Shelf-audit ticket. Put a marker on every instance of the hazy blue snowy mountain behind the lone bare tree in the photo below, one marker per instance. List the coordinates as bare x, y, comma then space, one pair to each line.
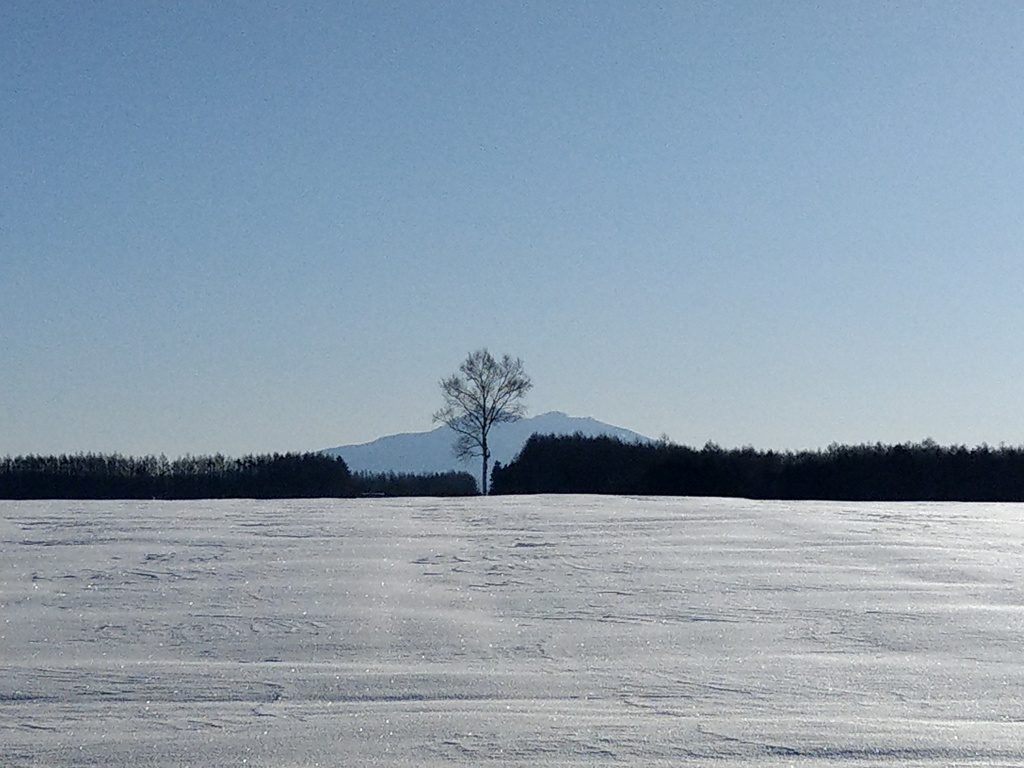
432, 452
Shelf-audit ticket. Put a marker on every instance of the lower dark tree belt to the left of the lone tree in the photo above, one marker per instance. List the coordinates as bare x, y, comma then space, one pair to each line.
269, 477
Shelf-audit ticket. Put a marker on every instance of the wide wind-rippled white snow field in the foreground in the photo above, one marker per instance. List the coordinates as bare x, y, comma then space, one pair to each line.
540, 631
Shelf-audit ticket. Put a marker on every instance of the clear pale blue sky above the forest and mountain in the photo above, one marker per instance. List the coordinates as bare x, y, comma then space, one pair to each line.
253, 227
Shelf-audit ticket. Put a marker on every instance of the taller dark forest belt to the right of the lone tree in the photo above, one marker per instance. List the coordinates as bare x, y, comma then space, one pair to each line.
925, 472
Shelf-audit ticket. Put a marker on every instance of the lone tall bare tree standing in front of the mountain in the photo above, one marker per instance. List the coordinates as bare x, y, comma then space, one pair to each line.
485, 393
